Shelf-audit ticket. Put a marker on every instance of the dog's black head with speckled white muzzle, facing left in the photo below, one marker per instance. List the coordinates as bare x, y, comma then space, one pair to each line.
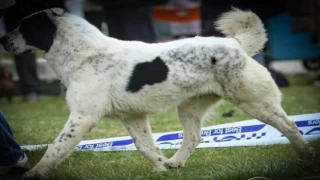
35, 32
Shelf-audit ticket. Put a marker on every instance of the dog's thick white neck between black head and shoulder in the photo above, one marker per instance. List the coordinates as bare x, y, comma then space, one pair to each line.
75, 41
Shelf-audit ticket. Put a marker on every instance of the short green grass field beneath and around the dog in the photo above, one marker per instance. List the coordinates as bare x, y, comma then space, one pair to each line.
40, 123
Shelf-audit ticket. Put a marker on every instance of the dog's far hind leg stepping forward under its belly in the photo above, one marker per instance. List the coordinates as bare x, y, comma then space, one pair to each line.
191, 114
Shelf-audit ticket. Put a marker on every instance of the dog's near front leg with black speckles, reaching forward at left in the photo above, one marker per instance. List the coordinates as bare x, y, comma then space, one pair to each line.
76, 127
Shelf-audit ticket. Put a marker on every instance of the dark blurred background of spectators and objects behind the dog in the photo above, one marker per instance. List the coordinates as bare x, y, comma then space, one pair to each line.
293, 27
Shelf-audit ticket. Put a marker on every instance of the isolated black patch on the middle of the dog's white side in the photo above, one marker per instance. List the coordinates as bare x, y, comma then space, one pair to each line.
147, 73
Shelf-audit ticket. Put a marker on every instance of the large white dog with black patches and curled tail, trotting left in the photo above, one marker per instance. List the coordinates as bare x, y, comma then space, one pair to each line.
129, 80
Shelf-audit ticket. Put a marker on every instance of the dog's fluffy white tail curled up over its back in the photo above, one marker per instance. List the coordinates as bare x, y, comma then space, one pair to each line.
246, 27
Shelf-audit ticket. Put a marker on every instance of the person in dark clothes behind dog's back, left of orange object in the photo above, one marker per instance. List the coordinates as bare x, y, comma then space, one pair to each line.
129, 19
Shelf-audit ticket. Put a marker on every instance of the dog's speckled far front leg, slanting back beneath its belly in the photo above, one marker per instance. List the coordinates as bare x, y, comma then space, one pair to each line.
140, 131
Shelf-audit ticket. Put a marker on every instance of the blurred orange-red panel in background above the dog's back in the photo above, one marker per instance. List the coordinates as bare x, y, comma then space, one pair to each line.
169, 15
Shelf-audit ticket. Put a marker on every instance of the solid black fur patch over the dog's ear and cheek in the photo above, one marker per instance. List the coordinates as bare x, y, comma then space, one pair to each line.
38, 31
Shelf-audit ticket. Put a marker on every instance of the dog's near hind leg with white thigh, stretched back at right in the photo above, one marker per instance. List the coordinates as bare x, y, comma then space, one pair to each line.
251, 88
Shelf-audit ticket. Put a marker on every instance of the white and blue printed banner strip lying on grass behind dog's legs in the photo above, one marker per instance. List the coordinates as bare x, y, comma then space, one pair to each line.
243, 133
